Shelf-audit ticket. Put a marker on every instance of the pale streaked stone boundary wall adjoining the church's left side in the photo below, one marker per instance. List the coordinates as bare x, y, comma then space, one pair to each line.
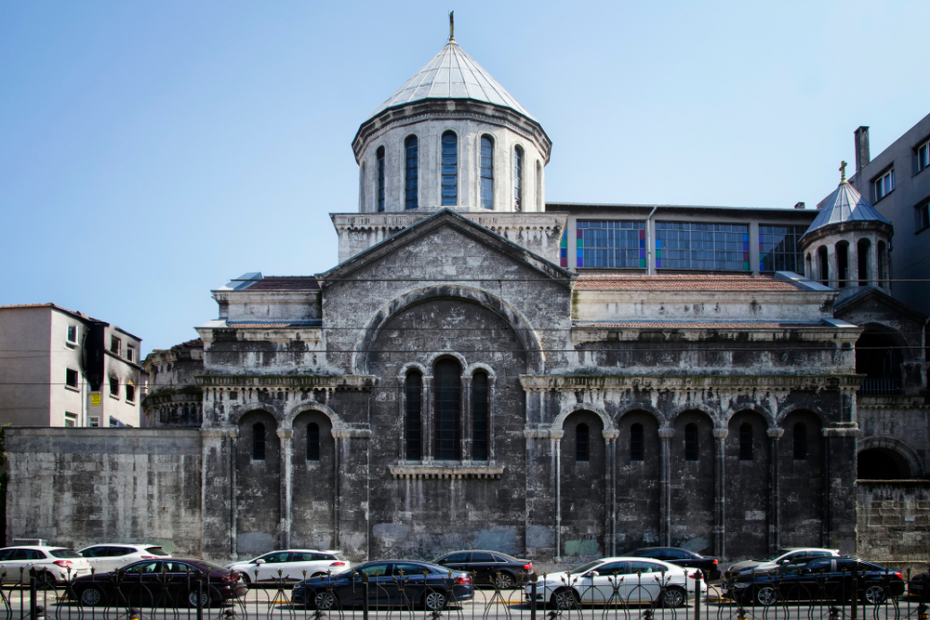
82, 486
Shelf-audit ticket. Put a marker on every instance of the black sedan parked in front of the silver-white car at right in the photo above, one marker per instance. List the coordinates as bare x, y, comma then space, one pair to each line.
827, 578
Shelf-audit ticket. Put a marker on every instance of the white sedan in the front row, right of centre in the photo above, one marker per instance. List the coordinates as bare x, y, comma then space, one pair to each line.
623, 580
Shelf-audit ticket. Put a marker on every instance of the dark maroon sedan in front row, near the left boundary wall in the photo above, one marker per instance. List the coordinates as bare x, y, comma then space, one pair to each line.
161, 583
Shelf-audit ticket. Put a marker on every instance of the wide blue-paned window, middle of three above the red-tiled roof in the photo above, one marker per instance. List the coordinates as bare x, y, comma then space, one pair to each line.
705, 247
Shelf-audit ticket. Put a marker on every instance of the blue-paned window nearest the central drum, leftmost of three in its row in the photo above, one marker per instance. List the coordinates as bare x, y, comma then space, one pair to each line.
611, 243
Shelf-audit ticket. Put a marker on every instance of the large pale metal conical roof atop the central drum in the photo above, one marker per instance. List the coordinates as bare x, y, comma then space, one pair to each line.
452, 74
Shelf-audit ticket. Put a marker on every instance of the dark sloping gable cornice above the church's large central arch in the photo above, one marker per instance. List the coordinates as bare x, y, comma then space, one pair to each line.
445, 217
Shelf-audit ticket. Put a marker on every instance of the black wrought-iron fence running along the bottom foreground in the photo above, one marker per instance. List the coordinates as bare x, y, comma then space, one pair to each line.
646, 597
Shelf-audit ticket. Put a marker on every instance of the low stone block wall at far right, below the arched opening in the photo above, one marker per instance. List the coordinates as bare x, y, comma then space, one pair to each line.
894, 521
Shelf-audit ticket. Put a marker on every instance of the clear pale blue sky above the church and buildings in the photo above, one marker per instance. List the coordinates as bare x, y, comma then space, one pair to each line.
151, 151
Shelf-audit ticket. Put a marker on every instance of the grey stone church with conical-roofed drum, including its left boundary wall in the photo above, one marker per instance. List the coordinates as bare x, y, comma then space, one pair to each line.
486, 369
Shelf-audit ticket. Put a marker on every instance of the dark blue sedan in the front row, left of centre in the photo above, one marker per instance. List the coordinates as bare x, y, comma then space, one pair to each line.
404, 583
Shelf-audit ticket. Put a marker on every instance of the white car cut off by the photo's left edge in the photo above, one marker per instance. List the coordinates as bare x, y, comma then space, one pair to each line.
54, 564
